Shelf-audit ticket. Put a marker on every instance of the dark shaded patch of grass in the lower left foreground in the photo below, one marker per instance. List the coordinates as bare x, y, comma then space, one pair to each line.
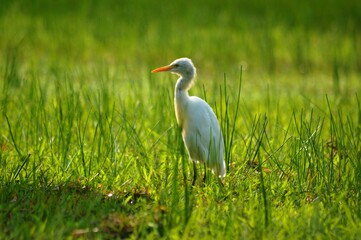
78, 211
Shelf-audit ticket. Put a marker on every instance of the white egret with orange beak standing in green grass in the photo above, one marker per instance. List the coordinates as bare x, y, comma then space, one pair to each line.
200, 128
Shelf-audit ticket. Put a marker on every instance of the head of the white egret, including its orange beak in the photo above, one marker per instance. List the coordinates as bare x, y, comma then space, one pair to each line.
181, 66
